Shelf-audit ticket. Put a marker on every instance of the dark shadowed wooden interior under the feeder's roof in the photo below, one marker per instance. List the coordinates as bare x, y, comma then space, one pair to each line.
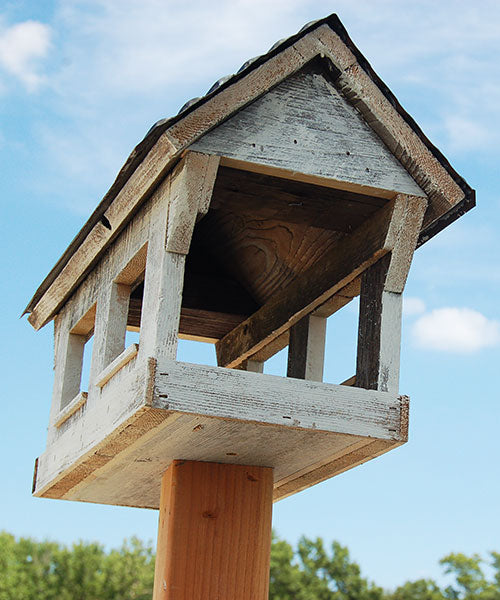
261, 231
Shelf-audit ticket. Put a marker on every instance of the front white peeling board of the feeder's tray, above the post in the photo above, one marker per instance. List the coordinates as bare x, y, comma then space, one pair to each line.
291, 403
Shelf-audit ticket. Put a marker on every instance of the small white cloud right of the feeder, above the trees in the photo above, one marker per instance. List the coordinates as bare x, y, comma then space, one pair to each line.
459, 330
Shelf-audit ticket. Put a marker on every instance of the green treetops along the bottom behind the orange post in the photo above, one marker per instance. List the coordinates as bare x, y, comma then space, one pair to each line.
32, 570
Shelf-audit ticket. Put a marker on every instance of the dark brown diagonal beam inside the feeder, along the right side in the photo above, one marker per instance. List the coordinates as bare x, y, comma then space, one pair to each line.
344, 261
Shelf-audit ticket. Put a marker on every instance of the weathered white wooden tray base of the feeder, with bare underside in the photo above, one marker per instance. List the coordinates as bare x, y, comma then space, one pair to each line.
116, 450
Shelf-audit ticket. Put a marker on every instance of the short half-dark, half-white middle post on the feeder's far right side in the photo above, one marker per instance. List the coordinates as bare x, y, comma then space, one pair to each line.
306, 350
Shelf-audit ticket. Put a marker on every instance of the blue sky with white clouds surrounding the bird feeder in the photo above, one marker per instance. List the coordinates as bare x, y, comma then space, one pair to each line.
80, 85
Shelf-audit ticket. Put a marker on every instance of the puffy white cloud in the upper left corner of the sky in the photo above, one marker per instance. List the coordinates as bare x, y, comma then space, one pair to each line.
21, 46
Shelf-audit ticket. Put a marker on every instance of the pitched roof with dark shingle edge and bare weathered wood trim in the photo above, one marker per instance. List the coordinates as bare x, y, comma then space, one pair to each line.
325, 38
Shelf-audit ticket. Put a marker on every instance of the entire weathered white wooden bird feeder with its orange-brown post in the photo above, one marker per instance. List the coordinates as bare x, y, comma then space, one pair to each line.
246, 220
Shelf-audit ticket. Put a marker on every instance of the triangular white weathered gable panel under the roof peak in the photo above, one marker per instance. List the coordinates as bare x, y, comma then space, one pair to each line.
305, 126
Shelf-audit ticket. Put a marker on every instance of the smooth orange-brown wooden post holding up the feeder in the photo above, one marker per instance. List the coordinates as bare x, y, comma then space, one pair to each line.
214, 532
